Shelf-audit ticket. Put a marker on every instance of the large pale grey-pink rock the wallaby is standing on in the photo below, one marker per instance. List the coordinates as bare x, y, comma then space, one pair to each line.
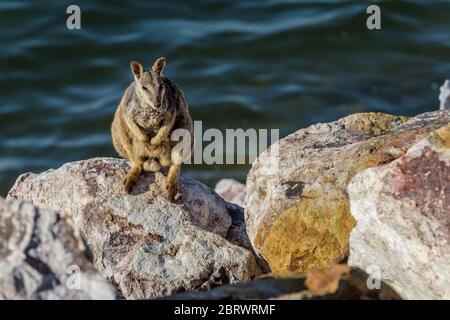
147, 245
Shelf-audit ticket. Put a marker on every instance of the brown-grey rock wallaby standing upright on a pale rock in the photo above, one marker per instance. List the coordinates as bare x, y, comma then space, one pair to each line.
151, 108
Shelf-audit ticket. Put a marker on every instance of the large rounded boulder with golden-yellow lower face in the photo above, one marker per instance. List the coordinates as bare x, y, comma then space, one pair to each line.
297, 209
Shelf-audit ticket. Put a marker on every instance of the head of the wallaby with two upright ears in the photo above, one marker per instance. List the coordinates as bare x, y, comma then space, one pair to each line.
150, 86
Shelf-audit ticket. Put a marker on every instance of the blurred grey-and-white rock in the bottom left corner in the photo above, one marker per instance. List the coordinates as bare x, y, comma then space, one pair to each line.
40, 258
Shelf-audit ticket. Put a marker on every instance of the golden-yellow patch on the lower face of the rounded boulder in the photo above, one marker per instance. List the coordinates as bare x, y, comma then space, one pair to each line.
311, 235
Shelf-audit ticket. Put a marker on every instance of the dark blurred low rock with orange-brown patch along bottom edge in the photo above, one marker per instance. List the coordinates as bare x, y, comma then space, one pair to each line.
336, 282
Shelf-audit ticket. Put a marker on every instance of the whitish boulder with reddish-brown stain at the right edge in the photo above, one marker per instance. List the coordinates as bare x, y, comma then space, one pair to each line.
403, 219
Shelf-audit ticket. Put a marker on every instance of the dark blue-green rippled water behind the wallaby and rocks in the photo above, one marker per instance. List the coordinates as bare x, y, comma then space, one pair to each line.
241, 64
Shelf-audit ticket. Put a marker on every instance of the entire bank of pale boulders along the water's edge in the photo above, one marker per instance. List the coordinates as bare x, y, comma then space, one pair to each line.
370, 190
